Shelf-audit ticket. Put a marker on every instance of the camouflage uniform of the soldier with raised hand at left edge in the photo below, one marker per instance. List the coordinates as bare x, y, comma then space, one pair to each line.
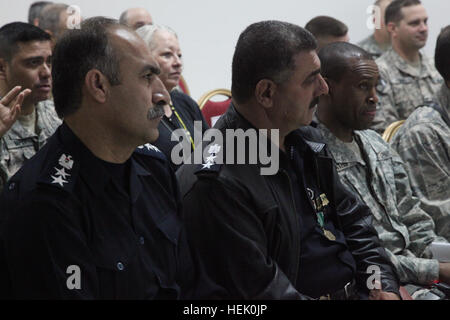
18, 144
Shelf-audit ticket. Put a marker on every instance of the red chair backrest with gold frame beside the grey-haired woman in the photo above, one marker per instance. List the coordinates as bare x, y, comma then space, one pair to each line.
212, 110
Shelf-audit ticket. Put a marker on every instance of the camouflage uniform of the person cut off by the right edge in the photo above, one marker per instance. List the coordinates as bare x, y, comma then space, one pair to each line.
423, 142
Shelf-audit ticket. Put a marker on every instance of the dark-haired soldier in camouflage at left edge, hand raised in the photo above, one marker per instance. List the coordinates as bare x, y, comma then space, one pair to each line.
25, 61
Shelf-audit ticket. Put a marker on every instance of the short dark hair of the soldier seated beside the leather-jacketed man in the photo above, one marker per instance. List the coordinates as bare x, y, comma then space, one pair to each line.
335, 57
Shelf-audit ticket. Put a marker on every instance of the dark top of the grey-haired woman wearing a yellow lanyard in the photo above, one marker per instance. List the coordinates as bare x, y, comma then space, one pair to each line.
189, 112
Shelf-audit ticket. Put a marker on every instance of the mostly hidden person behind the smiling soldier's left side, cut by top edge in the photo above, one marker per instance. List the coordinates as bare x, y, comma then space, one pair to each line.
378, 42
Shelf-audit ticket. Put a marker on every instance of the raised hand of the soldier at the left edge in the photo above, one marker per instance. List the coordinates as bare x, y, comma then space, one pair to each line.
10, 108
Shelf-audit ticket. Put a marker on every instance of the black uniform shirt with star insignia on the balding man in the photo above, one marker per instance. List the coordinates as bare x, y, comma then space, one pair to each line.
71, 228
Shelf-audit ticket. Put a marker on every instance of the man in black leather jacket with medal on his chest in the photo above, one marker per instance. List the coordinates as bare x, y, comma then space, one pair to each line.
295, 234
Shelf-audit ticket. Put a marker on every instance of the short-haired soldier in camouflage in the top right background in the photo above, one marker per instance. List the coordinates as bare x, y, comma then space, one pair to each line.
408, 79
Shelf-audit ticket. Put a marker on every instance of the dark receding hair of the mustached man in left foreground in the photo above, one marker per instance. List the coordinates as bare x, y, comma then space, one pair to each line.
77, 52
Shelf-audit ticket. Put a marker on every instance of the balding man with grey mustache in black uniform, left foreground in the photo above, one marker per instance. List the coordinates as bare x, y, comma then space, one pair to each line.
93, 215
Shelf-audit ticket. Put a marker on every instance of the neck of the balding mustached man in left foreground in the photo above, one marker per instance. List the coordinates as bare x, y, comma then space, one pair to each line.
100, 140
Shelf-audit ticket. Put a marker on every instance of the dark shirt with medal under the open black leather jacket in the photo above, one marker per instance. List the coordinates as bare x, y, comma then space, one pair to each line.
326, 265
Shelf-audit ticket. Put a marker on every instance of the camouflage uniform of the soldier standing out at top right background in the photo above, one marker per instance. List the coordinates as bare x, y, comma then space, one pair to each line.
402, 88
